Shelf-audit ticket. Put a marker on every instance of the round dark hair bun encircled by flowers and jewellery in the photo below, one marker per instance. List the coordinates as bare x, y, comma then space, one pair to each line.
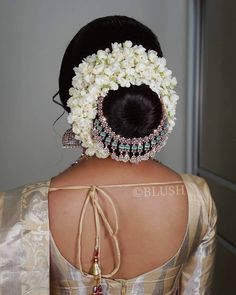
133, 112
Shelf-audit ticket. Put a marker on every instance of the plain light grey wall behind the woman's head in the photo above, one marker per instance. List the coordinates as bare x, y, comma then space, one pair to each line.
34, 36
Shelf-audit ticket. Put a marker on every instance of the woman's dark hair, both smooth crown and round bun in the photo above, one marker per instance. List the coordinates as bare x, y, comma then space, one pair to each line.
130, 112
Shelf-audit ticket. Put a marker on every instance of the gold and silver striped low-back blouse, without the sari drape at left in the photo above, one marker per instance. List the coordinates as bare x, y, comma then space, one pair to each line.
188, 272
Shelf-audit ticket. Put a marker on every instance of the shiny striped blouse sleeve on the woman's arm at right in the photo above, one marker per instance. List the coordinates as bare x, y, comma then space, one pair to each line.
197, 272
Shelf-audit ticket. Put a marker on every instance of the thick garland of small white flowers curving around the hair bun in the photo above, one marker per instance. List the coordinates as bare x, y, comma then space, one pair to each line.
124, 65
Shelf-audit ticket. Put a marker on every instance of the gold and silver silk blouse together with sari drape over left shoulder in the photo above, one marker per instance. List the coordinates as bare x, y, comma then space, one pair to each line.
30, 262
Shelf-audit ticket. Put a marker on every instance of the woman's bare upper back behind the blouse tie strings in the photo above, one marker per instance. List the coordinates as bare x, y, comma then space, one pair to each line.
152, 218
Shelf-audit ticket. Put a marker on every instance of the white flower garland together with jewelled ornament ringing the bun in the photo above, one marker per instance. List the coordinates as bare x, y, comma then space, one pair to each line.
124, 65
